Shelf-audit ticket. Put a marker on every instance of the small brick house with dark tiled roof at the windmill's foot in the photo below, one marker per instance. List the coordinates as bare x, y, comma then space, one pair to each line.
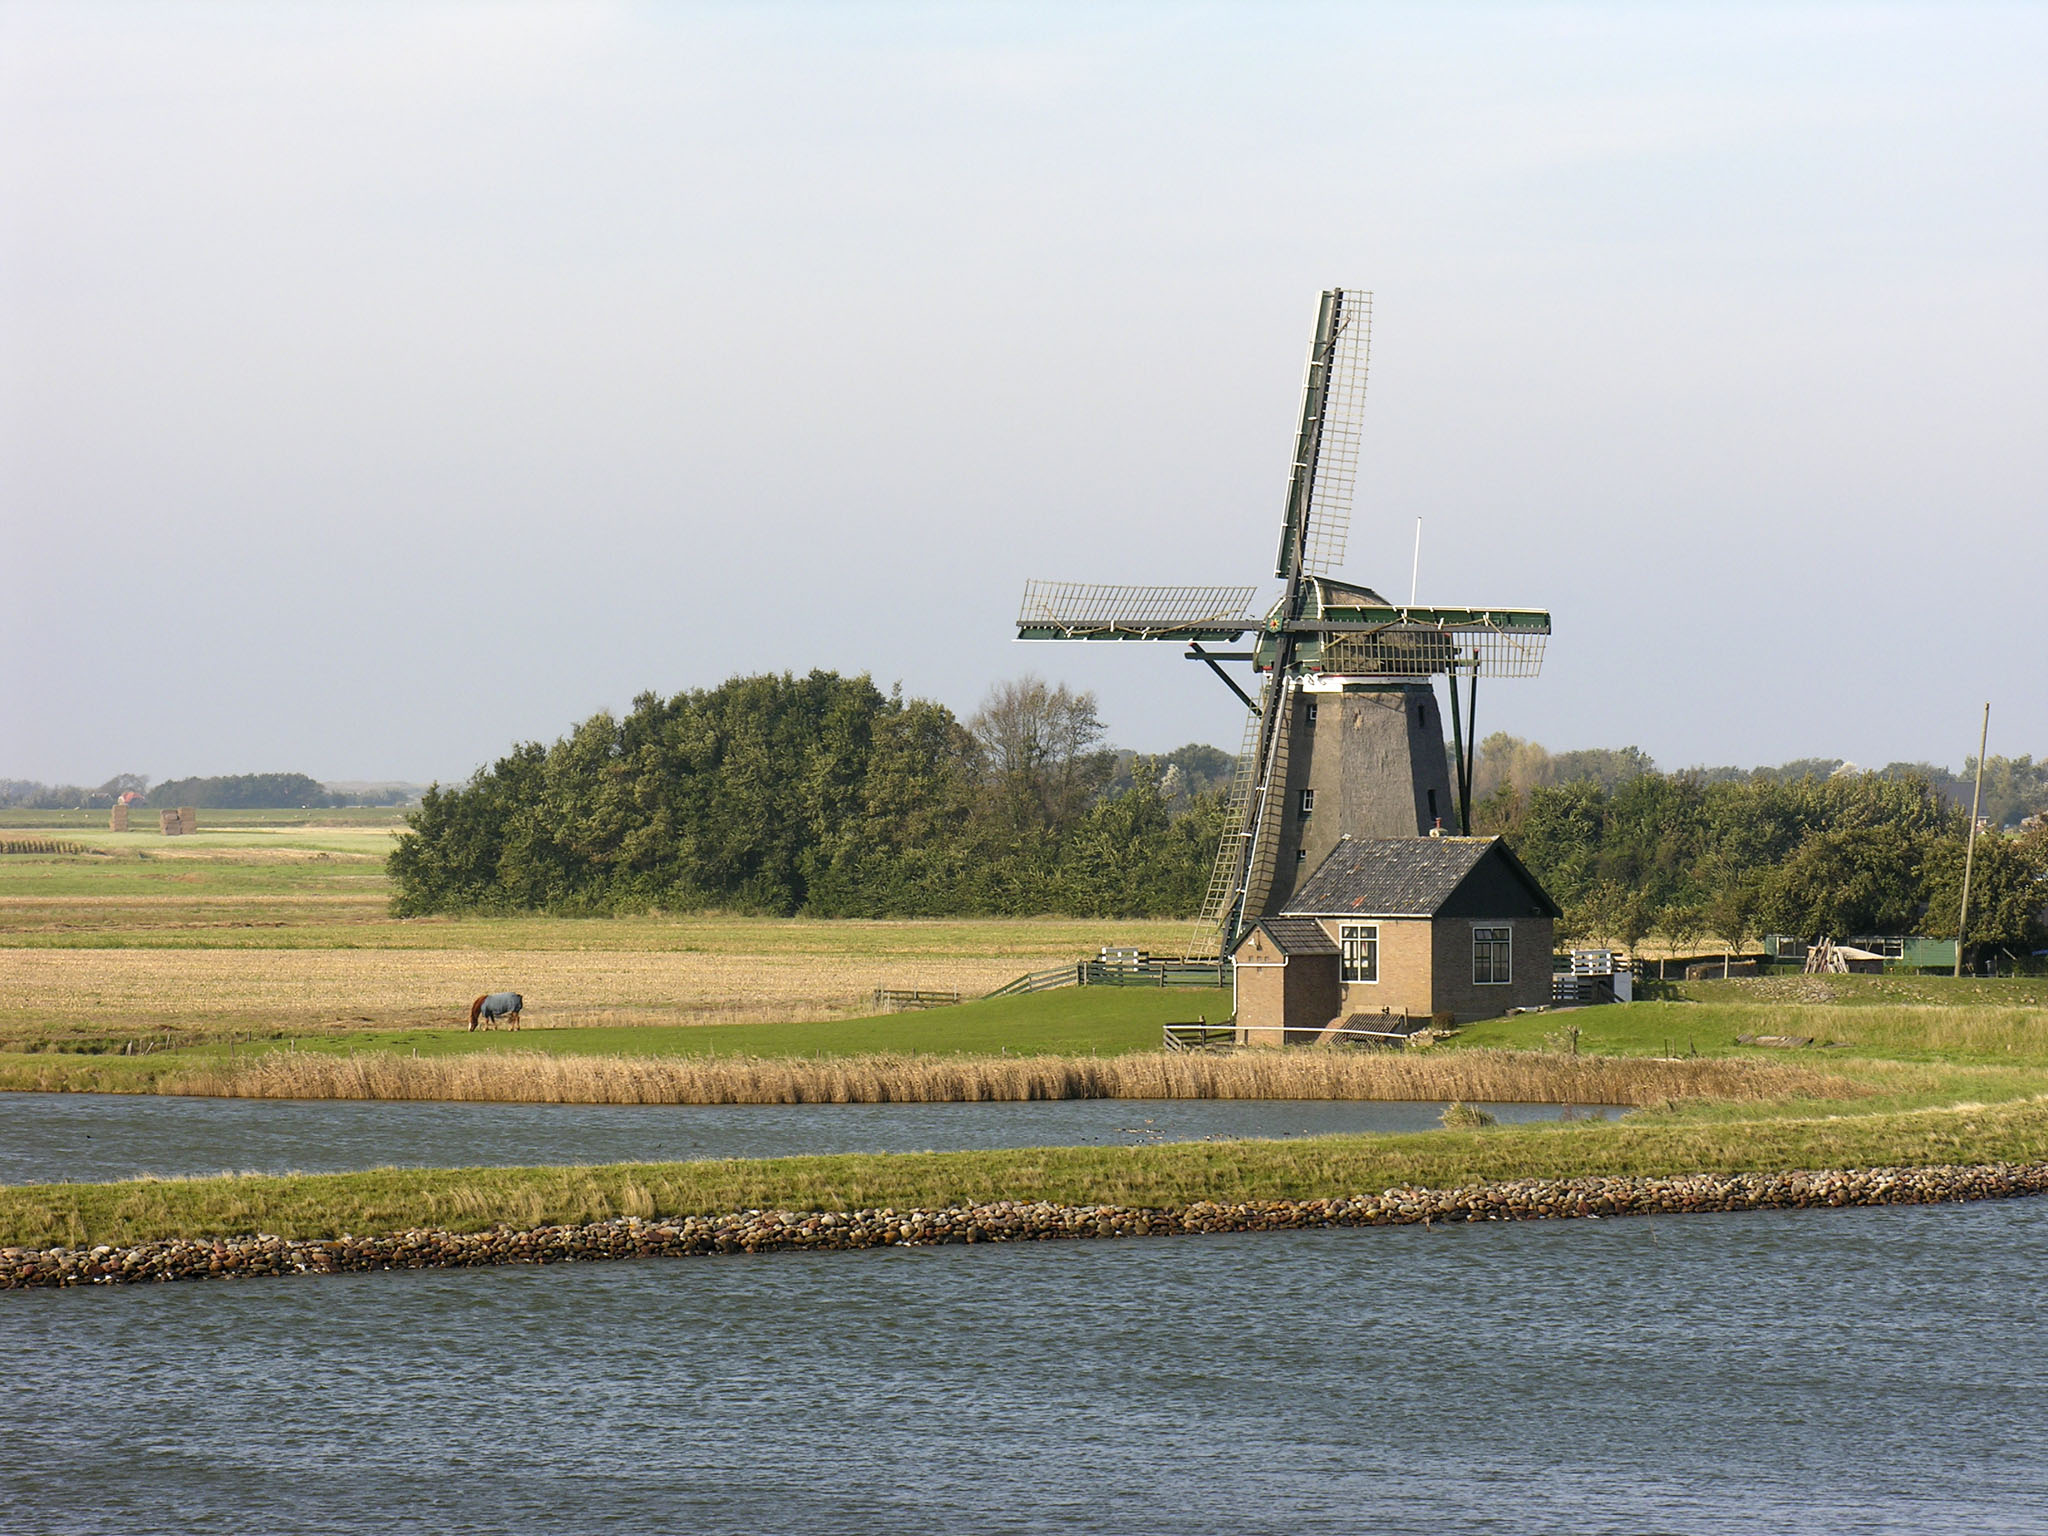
1398, 929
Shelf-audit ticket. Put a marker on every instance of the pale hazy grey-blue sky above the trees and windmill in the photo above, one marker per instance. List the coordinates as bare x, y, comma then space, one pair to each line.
382, 386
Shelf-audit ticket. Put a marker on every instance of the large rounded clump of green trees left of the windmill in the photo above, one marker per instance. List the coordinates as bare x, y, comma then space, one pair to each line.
822, 796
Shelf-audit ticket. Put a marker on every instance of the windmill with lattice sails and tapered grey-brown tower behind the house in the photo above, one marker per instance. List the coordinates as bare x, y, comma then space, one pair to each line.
1347, 738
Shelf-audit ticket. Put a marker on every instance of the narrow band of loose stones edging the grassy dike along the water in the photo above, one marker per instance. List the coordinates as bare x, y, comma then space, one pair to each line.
1009, 1222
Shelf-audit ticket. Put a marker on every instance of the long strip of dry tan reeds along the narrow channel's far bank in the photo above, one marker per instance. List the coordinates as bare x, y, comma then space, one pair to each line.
1471, 1076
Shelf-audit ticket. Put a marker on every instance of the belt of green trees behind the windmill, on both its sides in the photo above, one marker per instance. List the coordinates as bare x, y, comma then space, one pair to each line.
826, 796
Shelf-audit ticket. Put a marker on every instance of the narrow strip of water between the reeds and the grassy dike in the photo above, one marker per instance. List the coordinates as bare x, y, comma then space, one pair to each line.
48, 1138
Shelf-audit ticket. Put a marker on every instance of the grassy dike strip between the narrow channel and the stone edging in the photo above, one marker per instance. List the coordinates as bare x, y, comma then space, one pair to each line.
466, 1201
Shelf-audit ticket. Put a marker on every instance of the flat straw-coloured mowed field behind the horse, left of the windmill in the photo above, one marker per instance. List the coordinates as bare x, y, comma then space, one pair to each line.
278, 925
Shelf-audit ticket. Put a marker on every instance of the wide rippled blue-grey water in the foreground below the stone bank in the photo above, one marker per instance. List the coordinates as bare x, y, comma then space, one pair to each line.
1760, 1373
